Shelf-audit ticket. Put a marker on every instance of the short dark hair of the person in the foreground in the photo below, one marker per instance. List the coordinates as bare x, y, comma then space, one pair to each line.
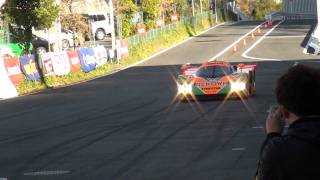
298, 90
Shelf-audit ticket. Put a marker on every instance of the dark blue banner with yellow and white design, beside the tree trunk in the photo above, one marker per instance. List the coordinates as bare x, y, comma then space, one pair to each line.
29, 67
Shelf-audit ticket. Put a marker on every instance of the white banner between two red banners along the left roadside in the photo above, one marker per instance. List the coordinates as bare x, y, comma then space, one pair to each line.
60, 63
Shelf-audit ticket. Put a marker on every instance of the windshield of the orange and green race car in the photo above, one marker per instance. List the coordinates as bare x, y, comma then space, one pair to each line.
213, 71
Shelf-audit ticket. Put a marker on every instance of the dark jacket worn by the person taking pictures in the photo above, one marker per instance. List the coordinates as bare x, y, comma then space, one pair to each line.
293, 156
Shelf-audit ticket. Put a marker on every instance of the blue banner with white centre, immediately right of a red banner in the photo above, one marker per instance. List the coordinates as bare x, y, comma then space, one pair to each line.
87, 59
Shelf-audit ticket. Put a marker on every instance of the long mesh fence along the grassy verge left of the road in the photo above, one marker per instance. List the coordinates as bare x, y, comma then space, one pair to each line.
158, 32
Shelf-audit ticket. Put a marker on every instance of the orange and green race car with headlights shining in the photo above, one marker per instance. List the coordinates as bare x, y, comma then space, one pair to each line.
216, 78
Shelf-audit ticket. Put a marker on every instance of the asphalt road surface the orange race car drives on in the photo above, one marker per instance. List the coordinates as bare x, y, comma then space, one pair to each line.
130, 126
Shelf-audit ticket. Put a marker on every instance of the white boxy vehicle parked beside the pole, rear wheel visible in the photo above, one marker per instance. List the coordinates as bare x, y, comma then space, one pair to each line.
100, 24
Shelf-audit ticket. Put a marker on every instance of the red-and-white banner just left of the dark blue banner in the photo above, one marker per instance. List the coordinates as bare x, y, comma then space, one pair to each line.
13, 70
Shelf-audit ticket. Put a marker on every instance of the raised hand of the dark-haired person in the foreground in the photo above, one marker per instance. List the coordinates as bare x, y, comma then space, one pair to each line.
275, 121
